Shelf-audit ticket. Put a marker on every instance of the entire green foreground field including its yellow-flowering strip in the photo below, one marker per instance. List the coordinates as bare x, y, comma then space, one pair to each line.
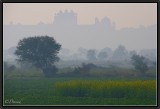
79, 91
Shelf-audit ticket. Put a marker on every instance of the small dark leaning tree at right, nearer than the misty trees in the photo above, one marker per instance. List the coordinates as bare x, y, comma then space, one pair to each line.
139, 63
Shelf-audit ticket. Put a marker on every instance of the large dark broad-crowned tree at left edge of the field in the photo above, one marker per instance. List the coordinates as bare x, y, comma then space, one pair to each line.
40, 51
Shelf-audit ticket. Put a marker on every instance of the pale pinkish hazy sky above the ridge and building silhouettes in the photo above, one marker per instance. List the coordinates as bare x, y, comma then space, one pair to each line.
123, 14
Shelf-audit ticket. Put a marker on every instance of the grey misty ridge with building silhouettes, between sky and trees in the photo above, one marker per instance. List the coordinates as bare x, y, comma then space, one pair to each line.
77, 39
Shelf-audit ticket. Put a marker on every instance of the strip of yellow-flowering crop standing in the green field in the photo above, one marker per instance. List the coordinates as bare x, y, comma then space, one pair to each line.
142, 89
